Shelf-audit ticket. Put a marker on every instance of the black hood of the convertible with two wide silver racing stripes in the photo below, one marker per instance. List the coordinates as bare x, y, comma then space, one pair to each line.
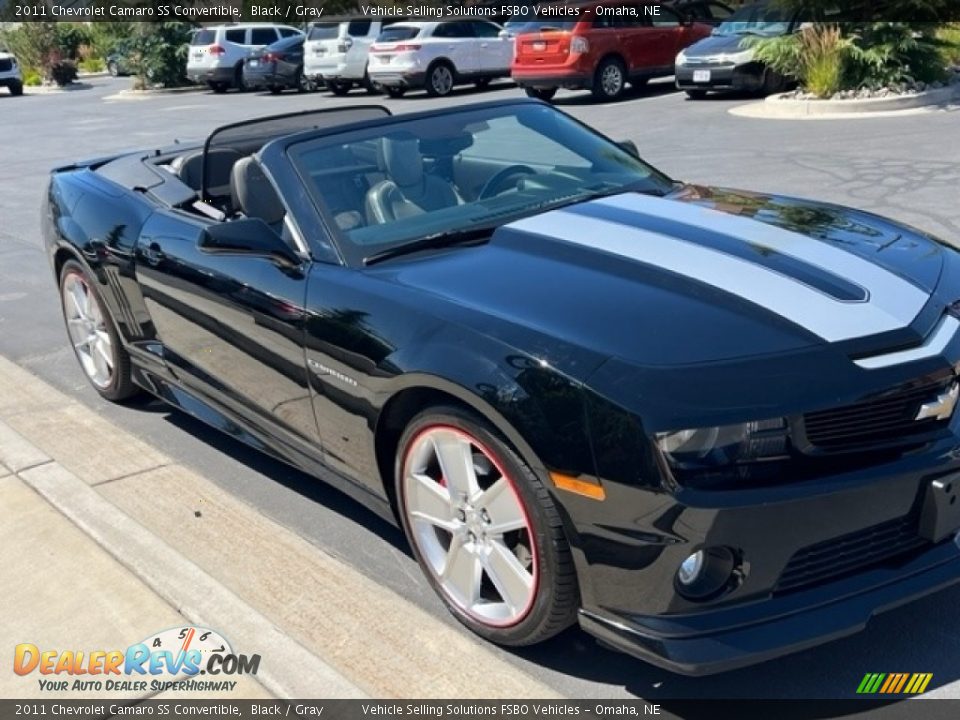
702, 275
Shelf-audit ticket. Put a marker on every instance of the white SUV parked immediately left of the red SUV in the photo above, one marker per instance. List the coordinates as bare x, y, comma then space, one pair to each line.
438, 55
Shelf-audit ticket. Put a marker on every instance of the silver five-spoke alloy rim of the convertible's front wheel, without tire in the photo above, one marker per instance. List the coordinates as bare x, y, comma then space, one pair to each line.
470, 526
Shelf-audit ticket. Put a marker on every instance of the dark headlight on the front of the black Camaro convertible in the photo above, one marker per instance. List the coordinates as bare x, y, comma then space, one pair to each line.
723, 445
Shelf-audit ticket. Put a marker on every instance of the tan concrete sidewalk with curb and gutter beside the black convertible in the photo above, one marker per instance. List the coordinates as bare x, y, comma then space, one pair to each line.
120, 542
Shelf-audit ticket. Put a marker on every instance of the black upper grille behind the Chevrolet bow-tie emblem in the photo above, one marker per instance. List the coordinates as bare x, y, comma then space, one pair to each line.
885, 420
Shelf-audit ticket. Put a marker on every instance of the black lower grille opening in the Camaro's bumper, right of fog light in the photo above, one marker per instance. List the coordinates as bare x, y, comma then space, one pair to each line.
850, 553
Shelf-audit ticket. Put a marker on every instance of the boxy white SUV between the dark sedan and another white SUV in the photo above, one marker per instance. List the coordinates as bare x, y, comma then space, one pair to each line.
336, 52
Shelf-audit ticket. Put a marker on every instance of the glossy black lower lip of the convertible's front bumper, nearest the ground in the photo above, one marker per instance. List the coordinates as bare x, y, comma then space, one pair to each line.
745, 635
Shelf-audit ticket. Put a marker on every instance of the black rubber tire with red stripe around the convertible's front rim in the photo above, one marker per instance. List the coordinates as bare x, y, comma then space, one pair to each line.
555, 596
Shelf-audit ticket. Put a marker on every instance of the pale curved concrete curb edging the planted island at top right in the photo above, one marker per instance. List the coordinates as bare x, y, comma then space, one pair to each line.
776, 107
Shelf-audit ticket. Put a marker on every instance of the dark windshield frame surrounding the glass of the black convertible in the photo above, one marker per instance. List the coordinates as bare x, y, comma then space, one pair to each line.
353, 253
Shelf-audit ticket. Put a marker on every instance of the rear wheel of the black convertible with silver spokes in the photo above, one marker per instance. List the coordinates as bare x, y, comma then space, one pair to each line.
93, 335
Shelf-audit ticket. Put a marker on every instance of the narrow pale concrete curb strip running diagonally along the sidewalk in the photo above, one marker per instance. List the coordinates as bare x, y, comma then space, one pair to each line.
292, 671
